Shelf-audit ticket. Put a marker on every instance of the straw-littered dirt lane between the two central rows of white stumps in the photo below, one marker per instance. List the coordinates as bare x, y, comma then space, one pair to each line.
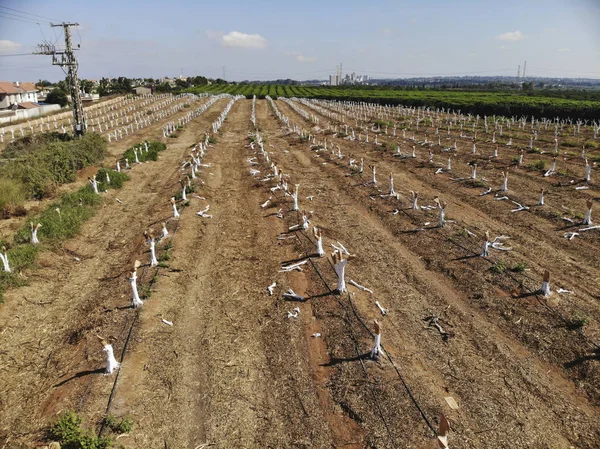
238, 370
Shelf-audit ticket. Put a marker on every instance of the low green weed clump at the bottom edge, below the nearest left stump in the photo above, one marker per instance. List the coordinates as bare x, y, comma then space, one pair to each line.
71, 435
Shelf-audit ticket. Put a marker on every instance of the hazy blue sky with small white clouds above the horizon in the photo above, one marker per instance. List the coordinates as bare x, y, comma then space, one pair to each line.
265, 40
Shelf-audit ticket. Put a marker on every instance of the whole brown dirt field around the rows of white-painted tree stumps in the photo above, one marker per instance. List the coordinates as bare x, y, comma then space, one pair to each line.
235, 371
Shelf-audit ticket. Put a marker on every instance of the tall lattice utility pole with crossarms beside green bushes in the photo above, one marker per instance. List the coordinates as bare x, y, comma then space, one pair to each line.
66, 58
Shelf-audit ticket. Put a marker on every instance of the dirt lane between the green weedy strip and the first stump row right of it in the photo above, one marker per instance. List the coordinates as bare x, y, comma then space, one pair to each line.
50, 355
